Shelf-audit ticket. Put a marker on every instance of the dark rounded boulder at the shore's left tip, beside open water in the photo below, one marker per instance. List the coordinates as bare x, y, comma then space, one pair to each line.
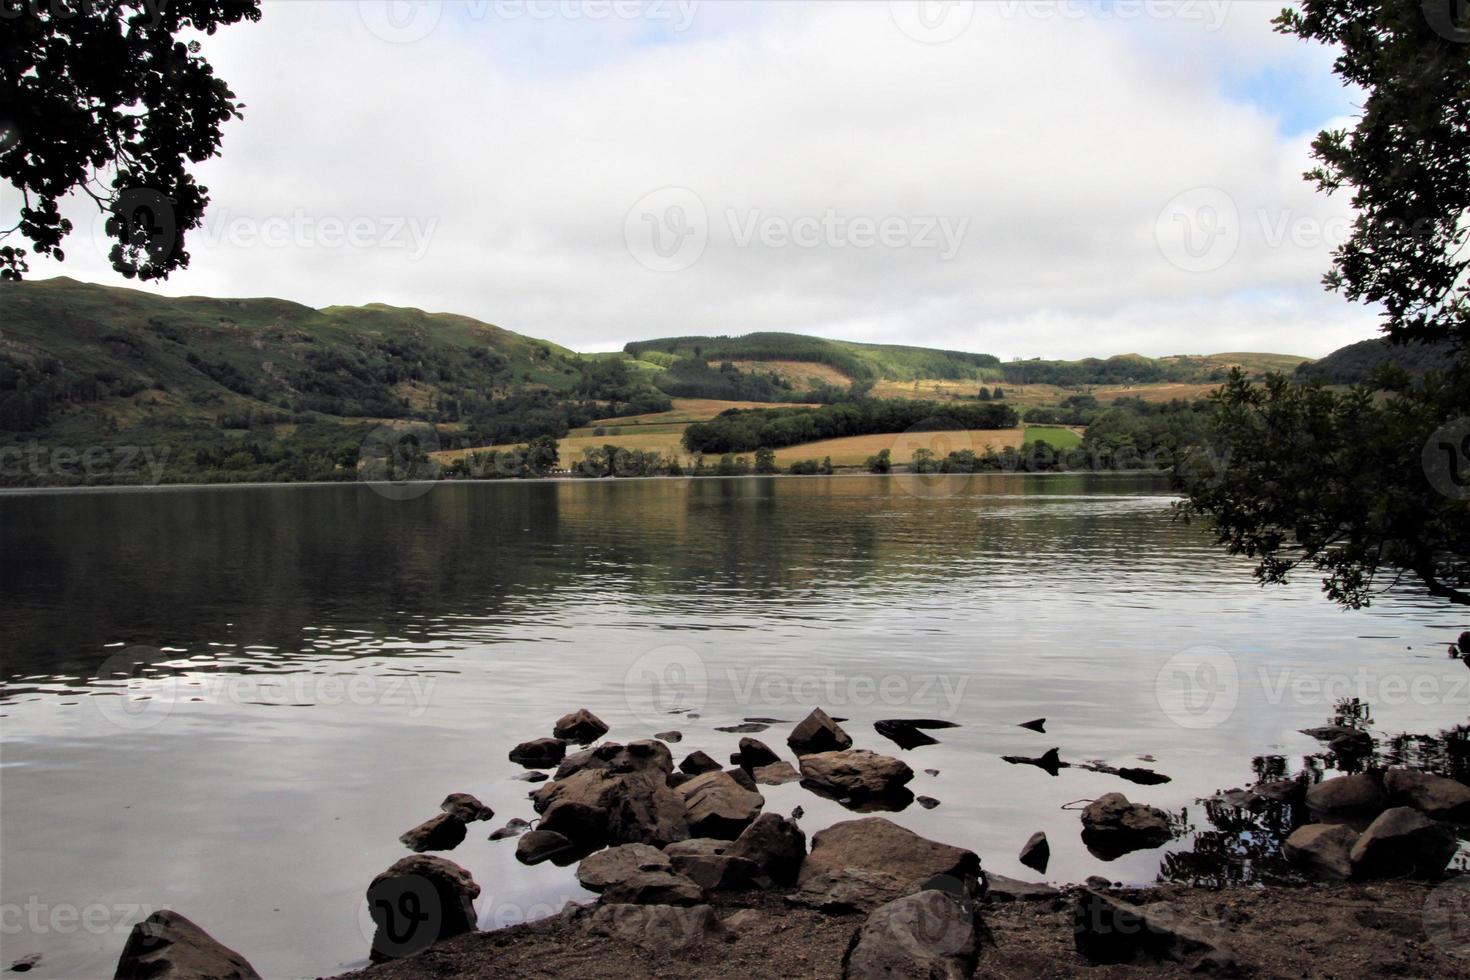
440, 897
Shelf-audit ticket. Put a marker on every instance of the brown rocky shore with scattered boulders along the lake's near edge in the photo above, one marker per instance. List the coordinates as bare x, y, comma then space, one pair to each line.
696, 881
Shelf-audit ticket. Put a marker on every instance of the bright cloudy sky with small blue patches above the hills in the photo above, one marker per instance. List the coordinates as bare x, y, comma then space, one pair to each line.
1019, 179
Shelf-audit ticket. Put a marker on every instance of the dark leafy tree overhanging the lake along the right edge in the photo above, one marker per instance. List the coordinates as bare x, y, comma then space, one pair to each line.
1378, 478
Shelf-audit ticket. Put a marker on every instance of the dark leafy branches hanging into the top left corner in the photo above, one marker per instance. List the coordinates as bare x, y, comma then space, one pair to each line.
101, 96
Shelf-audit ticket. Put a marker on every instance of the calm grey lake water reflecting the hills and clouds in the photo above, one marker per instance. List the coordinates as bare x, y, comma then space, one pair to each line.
314, 669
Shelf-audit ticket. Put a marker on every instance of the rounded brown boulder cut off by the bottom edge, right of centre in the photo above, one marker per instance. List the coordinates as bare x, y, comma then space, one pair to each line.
928, 935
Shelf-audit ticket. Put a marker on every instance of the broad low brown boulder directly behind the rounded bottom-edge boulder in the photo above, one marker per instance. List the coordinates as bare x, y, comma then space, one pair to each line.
875, 844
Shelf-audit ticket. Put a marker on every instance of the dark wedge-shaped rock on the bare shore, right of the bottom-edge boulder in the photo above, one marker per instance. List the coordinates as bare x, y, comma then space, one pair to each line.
1109, 932
